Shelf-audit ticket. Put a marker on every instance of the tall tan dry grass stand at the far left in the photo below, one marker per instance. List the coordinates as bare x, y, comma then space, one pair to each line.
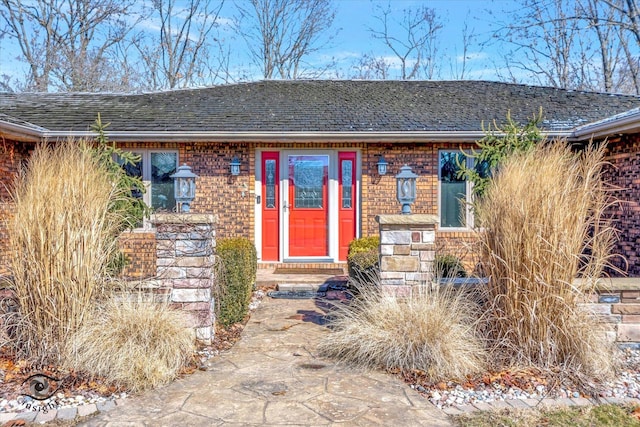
62, 237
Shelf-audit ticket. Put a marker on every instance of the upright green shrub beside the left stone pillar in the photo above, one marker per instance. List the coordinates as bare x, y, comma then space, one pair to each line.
236, 273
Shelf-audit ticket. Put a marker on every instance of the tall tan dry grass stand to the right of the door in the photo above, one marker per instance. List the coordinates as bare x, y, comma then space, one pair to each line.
543, 225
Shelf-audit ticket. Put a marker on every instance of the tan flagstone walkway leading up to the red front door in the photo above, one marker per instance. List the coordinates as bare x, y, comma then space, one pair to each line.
273, 376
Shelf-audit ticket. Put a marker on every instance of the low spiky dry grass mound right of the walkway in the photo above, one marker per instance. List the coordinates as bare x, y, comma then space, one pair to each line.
432, 330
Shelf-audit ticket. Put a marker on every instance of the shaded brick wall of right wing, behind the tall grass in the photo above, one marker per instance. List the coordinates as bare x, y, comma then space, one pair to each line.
623, 155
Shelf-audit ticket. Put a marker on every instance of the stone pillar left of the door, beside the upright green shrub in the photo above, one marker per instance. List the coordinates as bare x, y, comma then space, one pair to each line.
185, 265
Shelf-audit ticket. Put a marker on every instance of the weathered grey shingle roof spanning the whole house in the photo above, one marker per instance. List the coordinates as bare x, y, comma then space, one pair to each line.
317, 106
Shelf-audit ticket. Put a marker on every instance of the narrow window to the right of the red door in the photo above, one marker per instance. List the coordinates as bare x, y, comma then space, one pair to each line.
455, 191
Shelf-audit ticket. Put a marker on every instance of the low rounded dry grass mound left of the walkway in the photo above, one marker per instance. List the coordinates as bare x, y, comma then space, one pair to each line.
132, 343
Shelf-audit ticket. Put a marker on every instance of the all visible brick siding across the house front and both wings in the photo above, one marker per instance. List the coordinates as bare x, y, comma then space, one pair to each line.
220, 193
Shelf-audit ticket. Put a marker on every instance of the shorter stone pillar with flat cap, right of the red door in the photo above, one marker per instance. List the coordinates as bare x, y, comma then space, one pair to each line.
407, 251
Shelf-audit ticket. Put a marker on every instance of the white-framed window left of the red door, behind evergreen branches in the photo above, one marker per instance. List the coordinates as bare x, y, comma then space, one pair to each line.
155, 168
